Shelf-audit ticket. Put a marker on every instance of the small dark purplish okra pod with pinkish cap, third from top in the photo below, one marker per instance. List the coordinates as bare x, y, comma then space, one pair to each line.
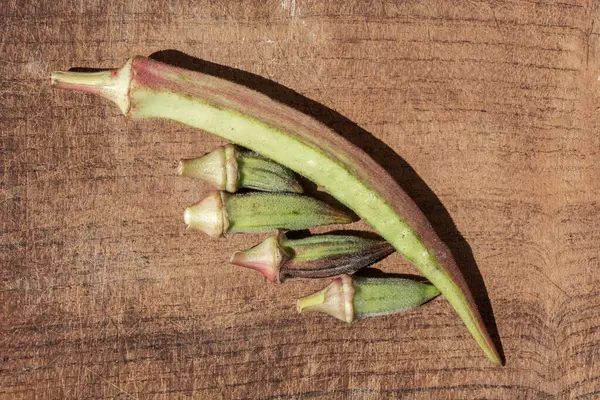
318, 256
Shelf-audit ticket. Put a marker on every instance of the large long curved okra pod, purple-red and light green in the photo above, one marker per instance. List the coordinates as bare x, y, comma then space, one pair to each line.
146, 88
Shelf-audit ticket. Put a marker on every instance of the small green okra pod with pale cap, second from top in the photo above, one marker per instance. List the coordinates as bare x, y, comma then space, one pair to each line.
220, 213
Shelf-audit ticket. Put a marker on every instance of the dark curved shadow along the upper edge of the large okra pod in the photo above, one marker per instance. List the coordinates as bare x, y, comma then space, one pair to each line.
399, 169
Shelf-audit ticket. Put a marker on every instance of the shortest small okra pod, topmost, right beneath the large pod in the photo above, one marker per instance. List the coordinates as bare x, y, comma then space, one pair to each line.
231, 167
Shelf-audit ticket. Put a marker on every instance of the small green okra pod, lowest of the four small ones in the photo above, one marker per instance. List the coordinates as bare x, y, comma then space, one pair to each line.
350, 298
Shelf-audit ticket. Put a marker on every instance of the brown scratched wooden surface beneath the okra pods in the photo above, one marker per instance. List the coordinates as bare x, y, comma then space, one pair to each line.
486, 112
